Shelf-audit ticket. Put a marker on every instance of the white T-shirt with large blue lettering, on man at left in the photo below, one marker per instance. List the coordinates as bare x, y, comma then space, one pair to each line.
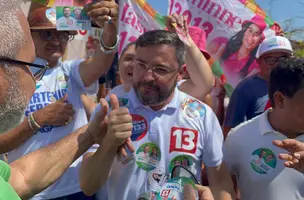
64, 78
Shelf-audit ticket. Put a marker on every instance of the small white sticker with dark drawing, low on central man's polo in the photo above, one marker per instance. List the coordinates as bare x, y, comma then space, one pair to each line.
157, 178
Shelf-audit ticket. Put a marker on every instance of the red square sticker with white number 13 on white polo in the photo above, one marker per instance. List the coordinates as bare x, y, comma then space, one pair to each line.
183, 140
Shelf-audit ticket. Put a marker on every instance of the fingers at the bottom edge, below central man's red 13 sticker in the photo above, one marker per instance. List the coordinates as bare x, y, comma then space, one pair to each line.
204, 193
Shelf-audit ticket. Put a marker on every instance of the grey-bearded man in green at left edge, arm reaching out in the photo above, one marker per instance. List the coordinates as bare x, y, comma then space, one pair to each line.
34, 172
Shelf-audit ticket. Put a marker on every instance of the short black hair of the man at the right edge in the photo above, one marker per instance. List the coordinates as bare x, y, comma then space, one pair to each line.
287, 77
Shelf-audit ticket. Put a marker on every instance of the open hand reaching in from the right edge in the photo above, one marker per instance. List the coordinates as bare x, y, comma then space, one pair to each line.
295, 156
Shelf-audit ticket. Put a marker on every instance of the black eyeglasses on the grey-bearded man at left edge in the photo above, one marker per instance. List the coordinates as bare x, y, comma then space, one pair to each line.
37, 75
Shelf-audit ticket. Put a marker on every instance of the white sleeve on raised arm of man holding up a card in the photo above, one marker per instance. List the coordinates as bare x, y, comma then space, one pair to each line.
71, 68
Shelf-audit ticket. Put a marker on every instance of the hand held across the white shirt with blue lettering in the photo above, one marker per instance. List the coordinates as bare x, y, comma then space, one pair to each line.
57, 114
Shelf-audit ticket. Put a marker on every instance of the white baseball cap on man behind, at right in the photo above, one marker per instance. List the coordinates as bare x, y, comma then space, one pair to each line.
274, 44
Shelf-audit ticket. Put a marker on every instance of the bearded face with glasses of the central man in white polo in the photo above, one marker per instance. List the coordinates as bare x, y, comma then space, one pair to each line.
155, 88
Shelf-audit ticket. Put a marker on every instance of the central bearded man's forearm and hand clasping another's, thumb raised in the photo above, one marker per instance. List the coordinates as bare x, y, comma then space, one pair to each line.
119, 129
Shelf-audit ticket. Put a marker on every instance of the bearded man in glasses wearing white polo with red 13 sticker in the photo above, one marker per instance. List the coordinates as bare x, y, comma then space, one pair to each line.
171, 123
